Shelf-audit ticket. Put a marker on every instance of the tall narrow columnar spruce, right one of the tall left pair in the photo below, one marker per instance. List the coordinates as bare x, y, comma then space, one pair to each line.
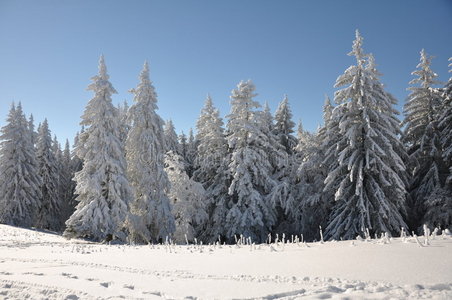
151, 218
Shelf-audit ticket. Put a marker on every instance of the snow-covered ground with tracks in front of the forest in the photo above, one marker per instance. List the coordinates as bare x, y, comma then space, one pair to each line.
40, 265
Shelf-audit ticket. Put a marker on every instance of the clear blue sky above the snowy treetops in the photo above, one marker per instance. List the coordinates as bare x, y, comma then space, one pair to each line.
49, 51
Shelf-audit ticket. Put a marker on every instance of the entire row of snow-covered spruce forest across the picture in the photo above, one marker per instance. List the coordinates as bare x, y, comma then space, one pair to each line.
129, 177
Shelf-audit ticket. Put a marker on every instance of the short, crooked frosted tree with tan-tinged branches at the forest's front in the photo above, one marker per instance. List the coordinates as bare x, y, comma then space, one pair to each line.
187, 199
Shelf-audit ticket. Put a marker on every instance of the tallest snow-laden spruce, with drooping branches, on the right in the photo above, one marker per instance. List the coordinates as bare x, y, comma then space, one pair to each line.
369, 185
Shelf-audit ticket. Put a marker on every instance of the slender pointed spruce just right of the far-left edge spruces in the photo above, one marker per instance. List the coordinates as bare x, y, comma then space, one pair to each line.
49, 214
